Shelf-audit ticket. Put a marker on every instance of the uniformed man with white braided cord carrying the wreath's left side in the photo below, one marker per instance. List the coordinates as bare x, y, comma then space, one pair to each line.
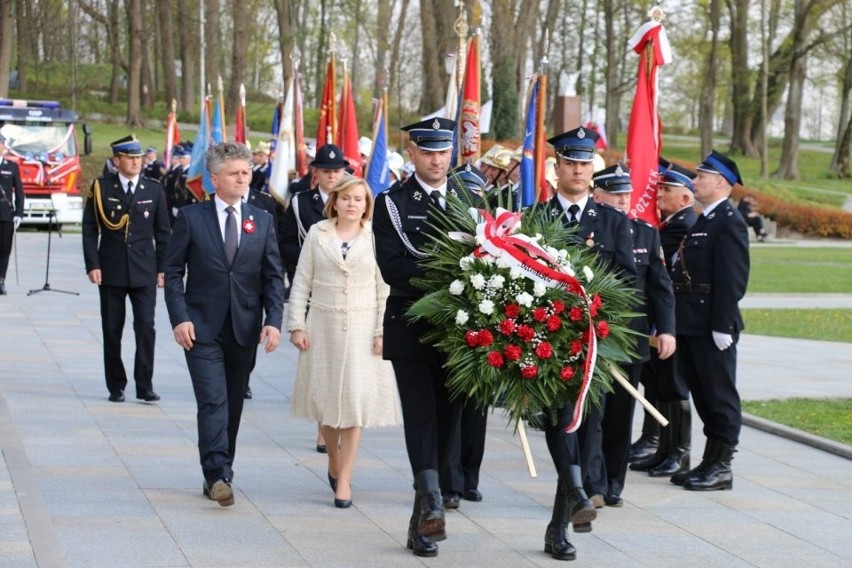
401, 223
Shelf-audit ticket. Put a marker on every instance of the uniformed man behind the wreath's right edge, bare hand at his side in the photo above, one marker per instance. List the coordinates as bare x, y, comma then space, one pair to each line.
613, 187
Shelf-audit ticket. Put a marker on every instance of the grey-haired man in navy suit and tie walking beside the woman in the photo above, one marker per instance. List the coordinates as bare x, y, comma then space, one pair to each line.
227, 250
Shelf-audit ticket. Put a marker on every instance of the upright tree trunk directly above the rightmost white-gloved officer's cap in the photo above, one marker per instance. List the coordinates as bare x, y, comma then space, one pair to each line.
740, 86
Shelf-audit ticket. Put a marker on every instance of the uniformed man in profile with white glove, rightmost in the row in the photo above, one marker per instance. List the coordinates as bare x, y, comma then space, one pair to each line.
710, 274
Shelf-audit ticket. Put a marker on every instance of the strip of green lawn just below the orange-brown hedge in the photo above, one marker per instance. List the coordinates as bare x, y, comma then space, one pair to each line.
780, 269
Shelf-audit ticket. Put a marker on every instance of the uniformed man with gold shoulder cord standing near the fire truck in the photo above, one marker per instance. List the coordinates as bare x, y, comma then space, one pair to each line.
125, 215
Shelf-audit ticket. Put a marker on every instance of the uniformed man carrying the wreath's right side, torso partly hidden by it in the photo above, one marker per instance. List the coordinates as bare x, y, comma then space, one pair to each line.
607, 232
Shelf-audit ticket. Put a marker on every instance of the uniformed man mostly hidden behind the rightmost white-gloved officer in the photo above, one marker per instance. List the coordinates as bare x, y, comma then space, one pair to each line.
674, 201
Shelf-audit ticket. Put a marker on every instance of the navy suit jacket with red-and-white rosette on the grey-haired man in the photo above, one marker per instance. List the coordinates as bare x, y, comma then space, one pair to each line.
249, 287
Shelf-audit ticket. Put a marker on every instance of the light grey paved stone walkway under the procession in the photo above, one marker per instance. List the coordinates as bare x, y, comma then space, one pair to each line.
87, 483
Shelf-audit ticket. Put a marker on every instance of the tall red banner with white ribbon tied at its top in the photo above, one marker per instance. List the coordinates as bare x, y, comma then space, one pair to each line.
644, 140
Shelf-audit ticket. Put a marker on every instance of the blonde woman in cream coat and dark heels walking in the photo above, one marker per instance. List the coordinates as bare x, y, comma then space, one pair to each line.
342, 381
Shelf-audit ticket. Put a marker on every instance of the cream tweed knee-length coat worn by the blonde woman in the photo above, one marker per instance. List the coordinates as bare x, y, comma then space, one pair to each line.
339, 381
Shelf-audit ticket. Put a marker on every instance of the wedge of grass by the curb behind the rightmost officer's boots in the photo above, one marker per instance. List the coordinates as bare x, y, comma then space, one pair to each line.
829, 418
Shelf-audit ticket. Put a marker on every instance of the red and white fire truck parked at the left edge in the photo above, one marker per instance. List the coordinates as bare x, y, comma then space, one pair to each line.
41, 137
